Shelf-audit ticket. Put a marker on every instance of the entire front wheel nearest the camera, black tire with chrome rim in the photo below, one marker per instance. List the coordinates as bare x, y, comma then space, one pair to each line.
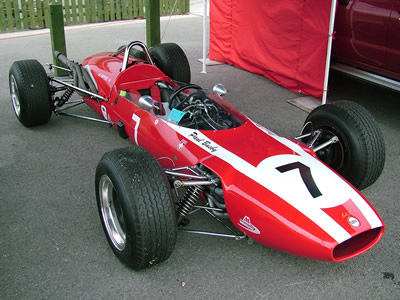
136, 207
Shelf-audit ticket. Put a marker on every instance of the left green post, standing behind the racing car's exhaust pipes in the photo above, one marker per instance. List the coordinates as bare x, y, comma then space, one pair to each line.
57, 35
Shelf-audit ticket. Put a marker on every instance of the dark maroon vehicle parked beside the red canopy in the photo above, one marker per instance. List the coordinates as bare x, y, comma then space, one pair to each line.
368, 36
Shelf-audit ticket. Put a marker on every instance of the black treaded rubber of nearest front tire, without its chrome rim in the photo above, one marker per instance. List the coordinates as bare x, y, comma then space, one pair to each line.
150, 204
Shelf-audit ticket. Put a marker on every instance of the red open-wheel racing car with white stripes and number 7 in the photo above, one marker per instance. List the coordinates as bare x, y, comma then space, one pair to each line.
194, 151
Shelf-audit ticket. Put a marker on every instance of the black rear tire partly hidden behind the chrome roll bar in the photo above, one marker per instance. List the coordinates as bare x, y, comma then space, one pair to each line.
171, 59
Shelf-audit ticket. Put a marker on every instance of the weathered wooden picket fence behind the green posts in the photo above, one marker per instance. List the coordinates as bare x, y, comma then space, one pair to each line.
34, 14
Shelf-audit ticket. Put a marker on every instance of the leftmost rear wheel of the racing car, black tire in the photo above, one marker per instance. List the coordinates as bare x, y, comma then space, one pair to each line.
30, 92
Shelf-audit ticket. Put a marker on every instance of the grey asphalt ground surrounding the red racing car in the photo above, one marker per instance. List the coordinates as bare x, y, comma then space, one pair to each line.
52, 243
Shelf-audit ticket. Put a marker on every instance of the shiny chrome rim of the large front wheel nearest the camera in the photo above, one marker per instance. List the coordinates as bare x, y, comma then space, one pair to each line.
112, 213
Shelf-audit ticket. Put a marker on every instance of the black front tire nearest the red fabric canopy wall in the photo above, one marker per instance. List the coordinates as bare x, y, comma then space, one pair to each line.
359, 156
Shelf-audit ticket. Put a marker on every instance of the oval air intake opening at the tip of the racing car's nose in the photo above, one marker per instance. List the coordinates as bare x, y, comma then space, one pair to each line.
357, 244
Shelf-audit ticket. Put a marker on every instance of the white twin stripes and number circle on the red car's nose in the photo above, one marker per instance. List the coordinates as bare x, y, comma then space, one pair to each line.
334, 190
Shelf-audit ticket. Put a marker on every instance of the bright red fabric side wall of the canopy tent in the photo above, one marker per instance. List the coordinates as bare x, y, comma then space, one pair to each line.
285, 41
